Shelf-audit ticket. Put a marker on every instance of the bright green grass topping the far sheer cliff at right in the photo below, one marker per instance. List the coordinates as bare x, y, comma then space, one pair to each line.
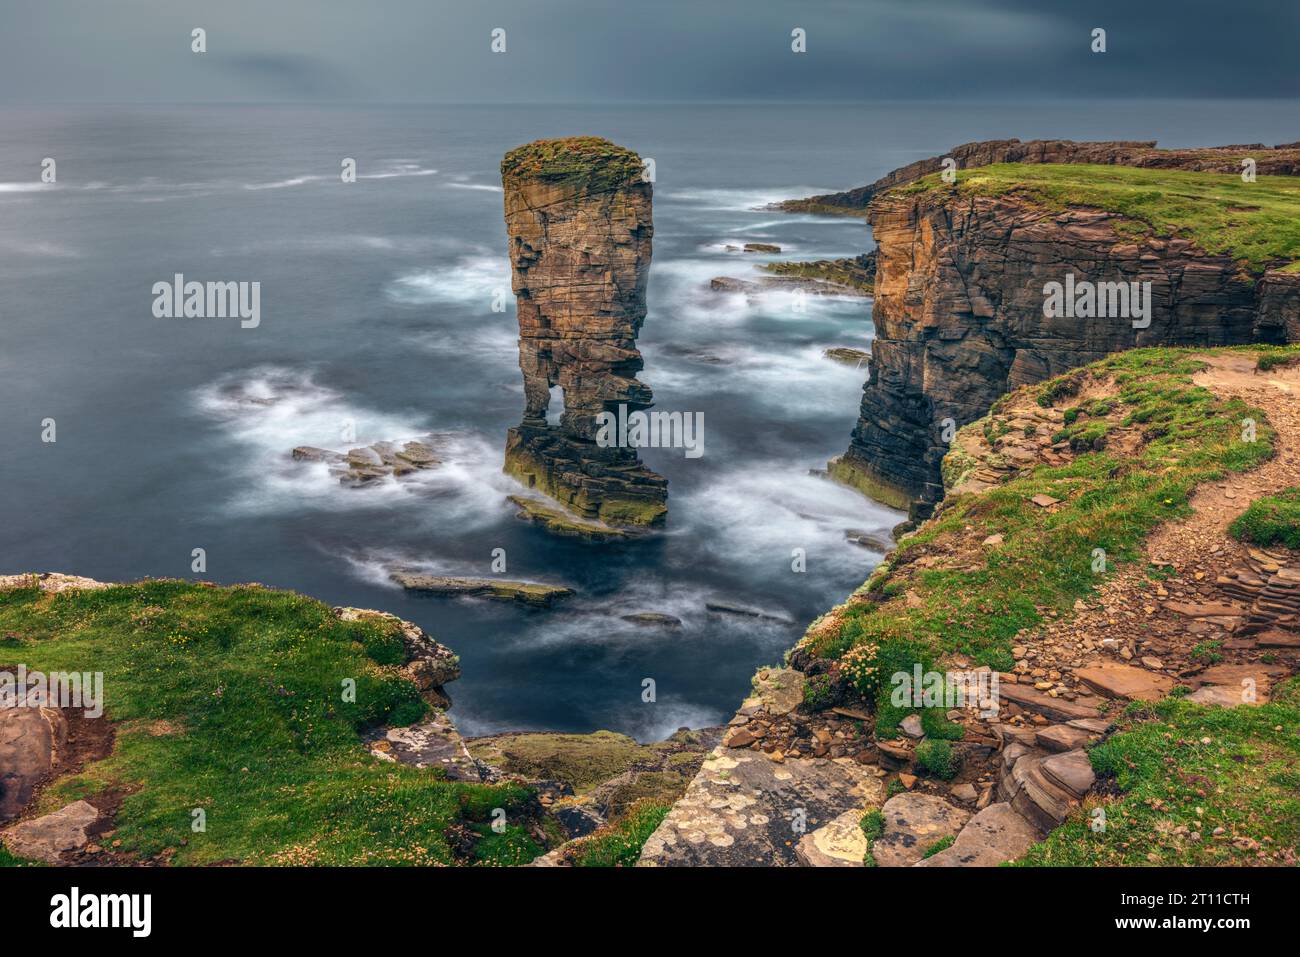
1254, 223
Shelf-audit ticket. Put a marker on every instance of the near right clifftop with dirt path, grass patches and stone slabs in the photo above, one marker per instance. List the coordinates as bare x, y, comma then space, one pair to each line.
1121, 694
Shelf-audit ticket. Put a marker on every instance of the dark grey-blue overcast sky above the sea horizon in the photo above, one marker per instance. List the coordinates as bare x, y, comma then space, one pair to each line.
578, 51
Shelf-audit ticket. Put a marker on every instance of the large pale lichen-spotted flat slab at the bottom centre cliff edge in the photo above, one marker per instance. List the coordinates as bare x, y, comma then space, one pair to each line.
742, 809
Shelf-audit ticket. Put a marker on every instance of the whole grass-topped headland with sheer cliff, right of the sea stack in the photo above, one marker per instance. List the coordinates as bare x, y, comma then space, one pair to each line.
961, 270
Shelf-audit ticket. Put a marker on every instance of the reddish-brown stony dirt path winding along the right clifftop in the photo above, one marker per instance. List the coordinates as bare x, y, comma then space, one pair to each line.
1201, 623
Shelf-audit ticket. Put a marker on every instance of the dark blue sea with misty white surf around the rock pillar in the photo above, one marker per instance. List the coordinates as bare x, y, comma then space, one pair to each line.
376, 309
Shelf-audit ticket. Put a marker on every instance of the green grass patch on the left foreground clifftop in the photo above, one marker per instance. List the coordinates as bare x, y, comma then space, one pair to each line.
231, 700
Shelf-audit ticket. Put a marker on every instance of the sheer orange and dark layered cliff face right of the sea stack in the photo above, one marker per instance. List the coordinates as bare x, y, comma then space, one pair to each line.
960, 318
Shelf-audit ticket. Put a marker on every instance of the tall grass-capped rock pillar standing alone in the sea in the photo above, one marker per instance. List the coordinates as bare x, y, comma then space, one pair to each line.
579, 224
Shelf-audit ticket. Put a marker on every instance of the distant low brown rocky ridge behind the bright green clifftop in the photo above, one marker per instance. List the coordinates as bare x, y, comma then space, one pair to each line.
1280, 161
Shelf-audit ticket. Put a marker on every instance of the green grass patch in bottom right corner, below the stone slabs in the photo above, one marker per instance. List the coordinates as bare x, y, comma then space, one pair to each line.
1181, 769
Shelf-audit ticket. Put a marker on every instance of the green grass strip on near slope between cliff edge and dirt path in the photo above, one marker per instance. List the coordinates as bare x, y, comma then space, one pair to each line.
1045, 565
